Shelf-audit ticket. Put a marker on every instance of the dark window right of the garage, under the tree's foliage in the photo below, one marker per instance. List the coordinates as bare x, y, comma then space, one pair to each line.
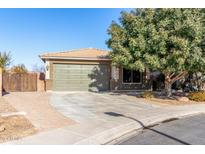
130, 76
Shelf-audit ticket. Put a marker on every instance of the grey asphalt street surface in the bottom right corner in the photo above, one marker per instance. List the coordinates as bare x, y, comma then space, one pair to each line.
185, 131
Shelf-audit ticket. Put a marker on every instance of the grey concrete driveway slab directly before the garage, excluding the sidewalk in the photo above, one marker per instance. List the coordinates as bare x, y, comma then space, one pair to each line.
98, 107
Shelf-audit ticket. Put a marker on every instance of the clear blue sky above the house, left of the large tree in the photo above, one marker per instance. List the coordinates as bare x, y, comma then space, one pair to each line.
27, 33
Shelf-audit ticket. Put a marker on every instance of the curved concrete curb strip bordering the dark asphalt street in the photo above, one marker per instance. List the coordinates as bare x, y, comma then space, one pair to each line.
113, 135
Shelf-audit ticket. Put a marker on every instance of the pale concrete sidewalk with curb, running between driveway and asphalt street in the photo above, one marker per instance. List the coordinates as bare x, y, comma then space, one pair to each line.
100, 132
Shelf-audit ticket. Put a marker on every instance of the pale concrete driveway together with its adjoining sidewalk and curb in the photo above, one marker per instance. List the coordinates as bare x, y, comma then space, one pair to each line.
102, 118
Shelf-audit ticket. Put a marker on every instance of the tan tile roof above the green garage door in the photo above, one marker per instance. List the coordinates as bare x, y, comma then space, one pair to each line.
87, 53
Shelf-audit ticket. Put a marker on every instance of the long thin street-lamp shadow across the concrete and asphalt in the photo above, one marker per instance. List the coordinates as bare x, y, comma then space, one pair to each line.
147, 127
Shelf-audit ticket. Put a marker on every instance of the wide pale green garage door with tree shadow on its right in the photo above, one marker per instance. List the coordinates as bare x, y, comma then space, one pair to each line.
69, 77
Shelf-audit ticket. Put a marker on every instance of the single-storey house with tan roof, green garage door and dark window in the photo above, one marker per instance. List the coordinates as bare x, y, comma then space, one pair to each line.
89, 70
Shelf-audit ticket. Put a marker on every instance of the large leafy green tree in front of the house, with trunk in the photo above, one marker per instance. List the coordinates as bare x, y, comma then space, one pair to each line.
167, 40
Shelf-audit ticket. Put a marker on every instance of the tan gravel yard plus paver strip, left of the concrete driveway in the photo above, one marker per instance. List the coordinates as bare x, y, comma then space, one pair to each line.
39, 116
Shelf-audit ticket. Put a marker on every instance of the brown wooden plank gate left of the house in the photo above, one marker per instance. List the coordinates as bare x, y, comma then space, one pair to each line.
16, 82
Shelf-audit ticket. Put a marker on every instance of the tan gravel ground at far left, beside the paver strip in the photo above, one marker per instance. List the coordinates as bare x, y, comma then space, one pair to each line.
13, 127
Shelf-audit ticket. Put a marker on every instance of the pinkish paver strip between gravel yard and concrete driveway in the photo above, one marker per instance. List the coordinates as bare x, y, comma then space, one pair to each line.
39, 111
